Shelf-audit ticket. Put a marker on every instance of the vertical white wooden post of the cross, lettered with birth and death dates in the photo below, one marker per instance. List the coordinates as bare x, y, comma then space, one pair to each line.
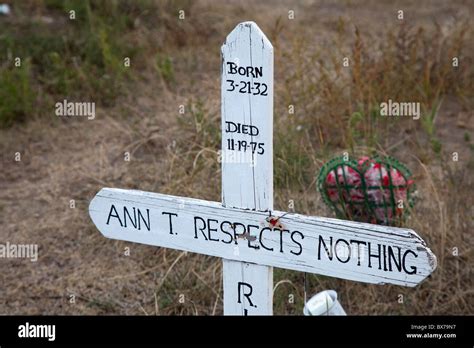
247, 159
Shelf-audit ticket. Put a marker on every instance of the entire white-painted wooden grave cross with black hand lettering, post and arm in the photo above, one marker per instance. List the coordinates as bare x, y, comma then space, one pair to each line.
244, 230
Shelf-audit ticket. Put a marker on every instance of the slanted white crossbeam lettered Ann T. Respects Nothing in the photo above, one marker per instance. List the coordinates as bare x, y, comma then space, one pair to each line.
331, 247
